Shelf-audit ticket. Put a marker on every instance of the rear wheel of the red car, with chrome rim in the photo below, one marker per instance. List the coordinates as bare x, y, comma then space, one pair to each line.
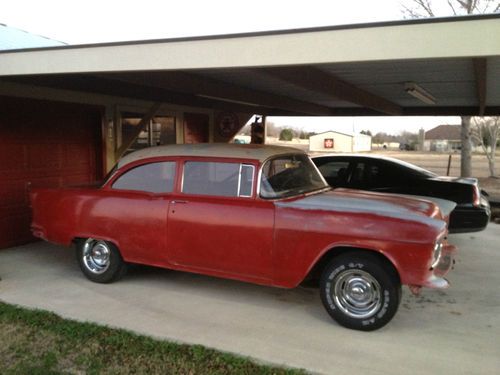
100, 261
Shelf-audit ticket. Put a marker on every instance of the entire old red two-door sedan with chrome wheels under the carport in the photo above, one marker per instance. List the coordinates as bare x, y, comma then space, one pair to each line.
254, 213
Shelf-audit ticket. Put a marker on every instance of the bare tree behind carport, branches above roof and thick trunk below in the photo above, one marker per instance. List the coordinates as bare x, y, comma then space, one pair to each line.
429, 8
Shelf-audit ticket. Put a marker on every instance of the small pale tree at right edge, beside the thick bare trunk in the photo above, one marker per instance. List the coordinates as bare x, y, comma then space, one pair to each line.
486, 131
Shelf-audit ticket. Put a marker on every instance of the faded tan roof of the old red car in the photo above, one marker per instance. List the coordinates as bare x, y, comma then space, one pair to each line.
221, 150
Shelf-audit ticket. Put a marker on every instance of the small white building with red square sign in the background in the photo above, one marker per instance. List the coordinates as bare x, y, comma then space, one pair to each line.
332, 141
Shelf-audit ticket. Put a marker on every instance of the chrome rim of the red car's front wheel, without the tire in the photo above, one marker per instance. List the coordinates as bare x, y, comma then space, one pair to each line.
357, 294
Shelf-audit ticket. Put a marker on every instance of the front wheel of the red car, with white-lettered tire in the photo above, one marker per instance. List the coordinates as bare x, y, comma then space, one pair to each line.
360, 291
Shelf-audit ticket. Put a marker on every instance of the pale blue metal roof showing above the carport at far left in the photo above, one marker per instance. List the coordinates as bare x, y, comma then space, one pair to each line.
12, 39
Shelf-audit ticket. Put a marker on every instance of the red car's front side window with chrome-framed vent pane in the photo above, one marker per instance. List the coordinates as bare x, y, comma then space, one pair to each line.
218, 179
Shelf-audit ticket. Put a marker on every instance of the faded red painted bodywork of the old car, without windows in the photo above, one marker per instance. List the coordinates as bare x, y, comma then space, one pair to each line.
270, 242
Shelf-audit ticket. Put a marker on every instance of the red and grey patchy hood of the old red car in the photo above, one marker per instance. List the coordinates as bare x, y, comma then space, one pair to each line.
396, 206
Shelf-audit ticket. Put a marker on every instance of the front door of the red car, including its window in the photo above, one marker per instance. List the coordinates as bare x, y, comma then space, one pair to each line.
215, 223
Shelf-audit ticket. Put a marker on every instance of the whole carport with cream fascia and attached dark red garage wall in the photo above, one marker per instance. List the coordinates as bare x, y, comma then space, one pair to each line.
210, 87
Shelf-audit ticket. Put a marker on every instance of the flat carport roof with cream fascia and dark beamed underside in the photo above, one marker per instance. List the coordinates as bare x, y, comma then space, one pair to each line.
343, 70
